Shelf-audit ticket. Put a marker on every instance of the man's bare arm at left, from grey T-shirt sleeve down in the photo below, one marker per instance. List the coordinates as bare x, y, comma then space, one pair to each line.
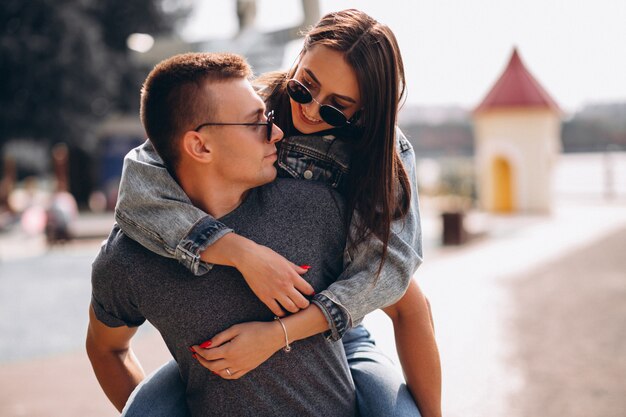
113, 361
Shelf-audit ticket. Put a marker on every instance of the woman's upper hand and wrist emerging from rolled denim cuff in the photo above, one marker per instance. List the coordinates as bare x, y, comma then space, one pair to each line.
273, 279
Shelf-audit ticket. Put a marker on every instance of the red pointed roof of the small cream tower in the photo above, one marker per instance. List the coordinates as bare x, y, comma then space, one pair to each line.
516, 87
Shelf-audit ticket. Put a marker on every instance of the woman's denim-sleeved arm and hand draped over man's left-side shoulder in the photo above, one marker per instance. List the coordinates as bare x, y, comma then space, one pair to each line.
153, 210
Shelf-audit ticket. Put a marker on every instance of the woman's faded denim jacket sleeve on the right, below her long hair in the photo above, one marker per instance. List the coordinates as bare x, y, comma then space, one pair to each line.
358, 291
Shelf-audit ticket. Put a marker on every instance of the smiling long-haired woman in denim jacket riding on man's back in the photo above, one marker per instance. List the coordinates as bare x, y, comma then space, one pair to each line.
338, 109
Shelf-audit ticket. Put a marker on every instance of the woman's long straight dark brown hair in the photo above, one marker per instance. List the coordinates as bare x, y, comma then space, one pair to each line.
378, 185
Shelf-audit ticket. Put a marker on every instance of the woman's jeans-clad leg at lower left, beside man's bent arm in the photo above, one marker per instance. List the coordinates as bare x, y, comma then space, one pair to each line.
161, 394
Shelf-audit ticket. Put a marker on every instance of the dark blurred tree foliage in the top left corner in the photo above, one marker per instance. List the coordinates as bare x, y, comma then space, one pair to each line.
64, 64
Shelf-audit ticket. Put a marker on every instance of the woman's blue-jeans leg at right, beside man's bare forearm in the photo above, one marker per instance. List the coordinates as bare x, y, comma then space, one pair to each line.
380, 389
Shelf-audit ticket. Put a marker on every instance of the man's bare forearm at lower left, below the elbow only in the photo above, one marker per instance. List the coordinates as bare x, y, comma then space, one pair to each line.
118, 373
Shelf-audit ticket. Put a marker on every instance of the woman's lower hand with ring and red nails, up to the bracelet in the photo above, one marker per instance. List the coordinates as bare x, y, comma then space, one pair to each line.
239, 349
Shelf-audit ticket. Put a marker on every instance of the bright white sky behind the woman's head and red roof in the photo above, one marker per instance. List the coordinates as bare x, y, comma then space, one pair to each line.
454, 50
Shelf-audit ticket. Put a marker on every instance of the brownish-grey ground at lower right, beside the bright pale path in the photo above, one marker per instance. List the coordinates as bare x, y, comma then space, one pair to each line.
570, 333
